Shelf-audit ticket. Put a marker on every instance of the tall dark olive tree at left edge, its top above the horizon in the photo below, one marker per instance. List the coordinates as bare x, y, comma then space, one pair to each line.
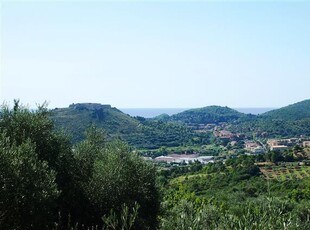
35, 159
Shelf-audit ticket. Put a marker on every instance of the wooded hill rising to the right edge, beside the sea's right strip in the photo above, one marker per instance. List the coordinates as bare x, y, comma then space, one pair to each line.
297, 111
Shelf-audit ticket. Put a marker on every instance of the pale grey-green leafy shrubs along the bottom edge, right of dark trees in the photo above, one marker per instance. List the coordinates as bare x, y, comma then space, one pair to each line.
260, 214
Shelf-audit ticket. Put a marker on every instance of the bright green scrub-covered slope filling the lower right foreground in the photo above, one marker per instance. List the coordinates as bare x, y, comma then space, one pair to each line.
234, 195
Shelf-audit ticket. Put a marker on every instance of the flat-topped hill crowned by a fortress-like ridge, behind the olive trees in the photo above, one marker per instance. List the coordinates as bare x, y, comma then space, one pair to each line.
137, 131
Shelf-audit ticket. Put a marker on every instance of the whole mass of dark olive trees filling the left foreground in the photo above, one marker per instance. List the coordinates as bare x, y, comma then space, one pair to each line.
46, 183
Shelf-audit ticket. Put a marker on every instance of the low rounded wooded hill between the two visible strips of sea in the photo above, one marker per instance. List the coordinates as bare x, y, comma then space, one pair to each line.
210, 114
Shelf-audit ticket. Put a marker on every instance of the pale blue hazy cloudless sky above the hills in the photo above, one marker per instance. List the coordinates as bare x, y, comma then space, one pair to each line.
155, 54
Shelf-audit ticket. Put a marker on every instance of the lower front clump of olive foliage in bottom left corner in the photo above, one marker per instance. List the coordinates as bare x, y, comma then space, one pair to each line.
28, 190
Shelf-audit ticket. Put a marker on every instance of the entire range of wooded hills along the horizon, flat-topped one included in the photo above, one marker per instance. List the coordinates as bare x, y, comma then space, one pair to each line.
177, 130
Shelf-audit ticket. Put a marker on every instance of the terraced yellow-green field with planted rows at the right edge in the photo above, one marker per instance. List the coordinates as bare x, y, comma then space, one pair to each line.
285, 172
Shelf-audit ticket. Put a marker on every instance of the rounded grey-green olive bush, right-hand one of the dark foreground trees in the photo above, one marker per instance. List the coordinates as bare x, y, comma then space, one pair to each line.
116, 176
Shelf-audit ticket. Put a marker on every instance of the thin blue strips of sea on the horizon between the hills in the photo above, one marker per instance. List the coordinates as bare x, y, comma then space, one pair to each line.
153, 112
